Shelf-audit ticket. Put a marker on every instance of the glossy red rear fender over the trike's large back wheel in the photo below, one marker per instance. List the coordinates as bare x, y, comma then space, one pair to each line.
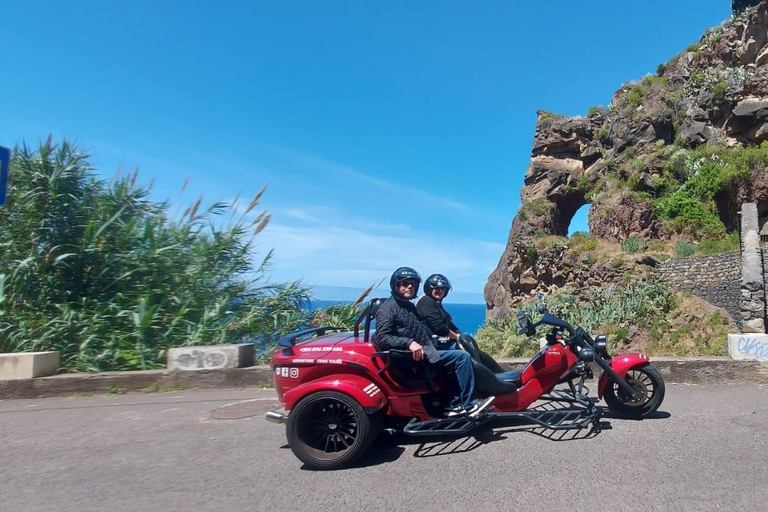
362, 390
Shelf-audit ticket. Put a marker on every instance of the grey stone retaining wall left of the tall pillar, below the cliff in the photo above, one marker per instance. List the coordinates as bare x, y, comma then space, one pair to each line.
715, 279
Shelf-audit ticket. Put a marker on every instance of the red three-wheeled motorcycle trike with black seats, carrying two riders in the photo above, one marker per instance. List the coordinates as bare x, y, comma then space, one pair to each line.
339, 390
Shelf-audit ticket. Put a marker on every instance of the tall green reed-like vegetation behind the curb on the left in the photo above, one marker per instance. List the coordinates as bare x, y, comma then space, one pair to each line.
101, 273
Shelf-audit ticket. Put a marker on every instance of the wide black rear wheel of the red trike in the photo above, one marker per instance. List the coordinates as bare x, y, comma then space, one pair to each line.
330, 430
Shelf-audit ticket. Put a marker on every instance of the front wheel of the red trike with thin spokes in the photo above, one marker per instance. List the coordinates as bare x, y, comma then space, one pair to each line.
645, 379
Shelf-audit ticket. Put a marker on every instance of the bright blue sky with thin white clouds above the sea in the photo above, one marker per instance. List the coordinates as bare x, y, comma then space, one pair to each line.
390, 133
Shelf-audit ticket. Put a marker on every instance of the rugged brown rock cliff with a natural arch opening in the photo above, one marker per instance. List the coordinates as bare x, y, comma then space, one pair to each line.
715, 93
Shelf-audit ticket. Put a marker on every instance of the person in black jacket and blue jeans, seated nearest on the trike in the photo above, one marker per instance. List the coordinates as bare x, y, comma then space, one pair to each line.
398, 327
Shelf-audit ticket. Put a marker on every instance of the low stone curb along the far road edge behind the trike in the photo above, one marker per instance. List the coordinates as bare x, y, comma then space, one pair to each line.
704, 370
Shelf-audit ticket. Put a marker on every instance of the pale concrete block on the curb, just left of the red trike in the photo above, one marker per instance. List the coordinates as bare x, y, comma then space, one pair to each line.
210, 358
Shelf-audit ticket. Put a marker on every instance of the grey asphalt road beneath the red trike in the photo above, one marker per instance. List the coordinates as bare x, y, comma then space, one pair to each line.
167, 451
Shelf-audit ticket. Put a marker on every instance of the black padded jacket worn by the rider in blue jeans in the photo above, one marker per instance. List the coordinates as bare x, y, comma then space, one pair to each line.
398, 324
